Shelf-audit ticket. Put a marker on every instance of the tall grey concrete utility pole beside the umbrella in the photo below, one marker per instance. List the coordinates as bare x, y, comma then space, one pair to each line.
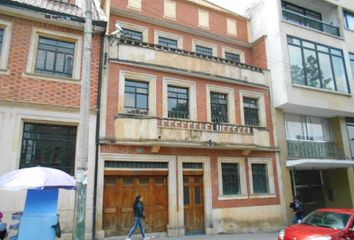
82, 156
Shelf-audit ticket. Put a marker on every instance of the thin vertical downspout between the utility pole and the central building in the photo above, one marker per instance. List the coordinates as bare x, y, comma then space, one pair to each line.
97, 134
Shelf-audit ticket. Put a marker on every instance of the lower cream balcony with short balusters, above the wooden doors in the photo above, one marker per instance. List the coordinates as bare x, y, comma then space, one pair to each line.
145, 130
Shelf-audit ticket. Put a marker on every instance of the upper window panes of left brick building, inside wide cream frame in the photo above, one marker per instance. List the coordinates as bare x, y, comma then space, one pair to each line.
55, 57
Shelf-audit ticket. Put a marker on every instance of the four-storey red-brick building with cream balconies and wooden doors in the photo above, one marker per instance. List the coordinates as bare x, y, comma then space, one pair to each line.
186, 122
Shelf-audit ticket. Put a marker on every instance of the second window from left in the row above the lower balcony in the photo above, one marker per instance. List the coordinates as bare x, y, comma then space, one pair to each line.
178, 102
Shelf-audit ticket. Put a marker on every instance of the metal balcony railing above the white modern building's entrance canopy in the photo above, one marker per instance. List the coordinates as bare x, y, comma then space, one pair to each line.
309, 149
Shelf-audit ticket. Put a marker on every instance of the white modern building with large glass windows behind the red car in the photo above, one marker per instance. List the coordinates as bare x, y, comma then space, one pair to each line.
310, 54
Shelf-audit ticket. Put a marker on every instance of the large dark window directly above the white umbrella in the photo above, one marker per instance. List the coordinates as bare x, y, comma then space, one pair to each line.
49, 146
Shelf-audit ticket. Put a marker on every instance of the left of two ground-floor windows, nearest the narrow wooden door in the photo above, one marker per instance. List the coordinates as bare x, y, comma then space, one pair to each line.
230, 179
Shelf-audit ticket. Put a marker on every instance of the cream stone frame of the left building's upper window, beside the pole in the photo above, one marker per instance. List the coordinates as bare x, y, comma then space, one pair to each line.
32, 56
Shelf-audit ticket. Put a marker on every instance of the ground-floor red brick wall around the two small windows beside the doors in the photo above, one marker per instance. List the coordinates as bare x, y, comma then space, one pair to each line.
213, 154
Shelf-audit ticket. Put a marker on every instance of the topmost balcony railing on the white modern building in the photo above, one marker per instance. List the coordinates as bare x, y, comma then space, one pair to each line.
310, 22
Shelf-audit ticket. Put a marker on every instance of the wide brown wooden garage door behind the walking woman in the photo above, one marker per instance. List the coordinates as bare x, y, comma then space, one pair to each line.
119, 196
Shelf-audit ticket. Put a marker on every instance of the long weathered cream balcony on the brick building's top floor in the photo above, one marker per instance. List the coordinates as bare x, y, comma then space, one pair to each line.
152, 56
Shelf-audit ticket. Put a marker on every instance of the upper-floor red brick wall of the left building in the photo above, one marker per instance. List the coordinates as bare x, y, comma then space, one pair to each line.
16, 87
